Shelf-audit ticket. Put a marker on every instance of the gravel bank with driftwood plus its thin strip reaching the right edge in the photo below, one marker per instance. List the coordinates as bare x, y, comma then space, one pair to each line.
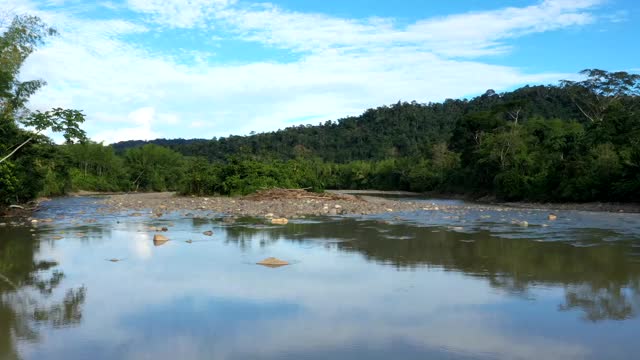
296, 203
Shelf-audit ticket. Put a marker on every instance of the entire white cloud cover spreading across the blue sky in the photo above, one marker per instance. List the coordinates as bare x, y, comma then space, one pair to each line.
344, 66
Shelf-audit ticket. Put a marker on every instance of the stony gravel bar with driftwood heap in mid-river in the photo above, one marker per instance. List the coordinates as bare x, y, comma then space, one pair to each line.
279, 203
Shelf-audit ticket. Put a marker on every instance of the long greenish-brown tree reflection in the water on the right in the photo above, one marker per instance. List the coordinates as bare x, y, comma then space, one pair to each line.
602, 280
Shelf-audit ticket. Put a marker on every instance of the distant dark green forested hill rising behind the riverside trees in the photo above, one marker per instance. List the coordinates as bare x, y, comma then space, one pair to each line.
400, 130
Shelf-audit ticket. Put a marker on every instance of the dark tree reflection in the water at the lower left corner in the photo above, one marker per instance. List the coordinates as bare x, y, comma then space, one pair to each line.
27, 285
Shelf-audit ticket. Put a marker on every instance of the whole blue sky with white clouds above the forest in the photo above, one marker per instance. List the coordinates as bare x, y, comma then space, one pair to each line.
146, 69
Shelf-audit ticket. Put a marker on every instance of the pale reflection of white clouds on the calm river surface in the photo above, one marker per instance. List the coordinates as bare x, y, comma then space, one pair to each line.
432, 316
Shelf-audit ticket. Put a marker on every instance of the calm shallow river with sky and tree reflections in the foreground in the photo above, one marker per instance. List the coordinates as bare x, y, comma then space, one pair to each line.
464, 283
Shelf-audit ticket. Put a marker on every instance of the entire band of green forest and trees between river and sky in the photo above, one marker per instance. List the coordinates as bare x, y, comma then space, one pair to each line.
576, 141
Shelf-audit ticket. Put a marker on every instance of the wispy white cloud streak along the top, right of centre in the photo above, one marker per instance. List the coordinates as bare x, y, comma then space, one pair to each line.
469, 34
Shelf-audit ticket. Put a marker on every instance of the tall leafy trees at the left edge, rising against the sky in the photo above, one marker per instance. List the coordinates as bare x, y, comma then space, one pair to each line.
30, 165
